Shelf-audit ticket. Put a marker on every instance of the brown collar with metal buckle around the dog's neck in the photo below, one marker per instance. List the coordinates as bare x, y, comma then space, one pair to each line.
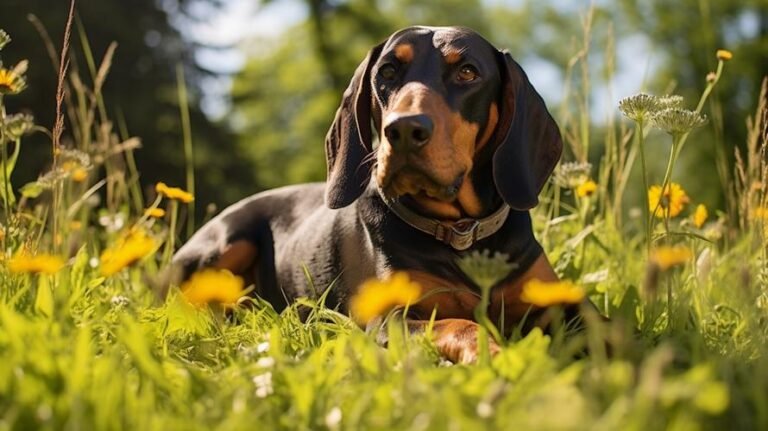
460, 234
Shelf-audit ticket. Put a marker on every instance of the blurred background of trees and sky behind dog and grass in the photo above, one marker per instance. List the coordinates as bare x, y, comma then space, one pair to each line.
265, 77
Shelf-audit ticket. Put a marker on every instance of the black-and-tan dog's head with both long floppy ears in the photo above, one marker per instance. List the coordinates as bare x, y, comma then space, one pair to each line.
459, 127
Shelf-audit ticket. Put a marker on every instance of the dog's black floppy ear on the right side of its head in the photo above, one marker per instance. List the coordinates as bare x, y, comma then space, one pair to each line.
528, 139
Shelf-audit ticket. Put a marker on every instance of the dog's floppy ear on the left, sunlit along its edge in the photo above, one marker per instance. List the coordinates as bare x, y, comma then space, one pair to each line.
349, 140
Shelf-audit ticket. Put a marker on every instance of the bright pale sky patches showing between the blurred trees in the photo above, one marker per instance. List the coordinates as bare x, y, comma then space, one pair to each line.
242, 21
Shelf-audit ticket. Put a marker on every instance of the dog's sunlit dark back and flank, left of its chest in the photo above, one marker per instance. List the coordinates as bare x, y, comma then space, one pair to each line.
287, 242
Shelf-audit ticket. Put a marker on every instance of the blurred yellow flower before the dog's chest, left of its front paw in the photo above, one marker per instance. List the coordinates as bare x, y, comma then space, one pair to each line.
376, 297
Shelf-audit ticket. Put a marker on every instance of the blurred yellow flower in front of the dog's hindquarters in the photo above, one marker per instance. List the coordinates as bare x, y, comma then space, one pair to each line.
213, 286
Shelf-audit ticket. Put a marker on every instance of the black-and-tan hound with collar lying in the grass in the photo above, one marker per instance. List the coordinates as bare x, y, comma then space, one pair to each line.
465, 144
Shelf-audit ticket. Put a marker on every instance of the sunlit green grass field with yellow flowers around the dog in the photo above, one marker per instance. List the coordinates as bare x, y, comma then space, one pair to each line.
86, 342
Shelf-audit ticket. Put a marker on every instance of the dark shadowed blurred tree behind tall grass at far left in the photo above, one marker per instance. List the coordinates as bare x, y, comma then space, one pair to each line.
140, 89
